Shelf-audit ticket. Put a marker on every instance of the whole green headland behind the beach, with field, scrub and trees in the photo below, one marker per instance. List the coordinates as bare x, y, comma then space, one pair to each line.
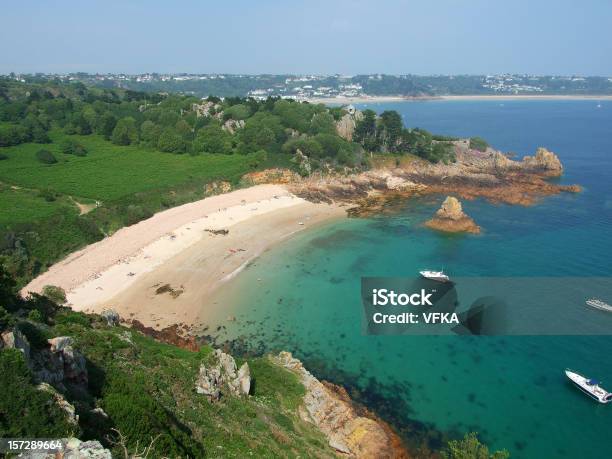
77, 162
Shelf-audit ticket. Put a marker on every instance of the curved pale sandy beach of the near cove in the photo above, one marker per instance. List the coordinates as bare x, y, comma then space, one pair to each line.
162, 270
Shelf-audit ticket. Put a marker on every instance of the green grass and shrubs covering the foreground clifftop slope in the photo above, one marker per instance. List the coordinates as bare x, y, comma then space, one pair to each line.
140, 390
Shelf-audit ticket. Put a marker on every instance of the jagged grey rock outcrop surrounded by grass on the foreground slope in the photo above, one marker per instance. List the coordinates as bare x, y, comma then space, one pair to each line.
222, 377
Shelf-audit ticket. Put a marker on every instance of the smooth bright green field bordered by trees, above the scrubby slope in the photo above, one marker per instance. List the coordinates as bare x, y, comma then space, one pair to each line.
110, 172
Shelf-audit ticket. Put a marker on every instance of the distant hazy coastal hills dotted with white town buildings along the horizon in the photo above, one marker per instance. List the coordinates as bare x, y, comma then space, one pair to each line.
305, 87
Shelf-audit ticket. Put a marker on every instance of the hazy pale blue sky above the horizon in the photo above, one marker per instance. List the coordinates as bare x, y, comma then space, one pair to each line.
544, 37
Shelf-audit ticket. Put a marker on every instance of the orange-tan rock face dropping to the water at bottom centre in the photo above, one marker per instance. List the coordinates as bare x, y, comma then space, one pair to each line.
347, 431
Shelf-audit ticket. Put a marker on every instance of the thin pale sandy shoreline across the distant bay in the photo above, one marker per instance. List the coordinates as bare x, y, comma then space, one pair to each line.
387, 99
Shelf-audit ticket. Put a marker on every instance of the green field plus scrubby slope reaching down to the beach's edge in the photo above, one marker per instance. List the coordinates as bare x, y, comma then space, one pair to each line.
39, 219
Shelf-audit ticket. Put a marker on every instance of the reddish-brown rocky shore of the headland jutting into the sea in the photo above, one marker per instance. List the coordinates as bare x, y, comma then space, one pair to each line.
489, 174
